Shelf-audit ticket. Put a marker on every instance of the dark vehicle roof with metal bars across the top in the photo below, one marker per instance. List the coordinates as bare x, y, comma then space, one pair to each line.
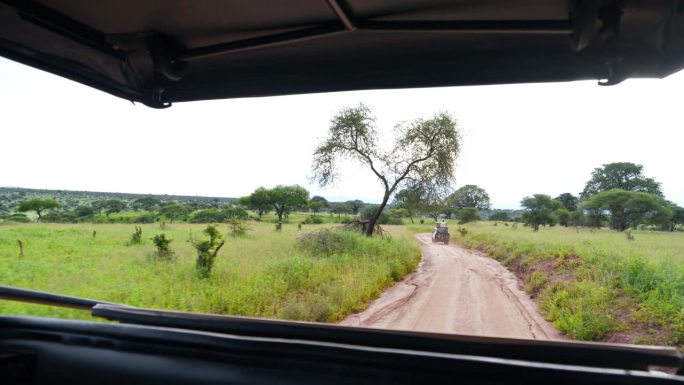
163, 51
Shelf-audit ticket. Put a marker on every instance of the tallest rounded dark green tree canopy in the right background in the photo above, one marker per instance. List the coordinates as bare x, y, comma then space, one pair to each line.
620, 175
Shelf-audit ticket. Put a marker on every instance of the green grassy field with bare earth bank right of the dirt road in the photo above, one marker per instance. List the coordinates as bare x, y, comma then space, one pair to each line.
594, 284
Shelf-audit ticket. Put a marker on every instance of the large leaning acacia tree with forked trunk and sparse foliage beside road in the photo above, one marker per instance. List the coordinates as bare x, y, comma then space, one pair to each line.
424, 152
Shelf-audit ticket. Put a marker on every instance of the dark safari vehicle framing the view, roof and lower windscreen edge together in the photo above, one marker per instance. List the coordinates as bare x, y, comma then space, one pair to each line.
161, 52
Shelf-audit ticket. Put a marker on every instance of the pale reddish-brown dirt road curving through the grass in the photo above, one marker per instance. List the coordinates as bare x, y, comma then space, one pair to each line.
456, 291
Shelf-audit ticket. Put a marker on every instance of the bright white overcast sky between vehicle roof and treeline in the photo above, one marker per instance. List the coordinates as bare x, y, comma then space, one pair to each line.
517, 139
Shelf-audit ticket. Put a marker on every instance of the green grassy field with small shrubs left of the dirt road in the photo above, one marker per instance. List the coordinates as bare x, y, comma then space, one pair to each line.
264, 273
